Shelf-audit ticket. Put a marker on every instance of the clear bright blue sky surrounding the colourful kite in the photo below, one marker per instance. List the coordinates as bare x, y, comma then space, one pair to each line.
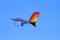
48, 24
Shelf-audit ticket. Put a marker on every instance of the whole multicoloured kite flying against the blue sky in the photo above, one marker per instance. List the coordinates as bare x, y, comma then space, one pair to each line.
33, 19
